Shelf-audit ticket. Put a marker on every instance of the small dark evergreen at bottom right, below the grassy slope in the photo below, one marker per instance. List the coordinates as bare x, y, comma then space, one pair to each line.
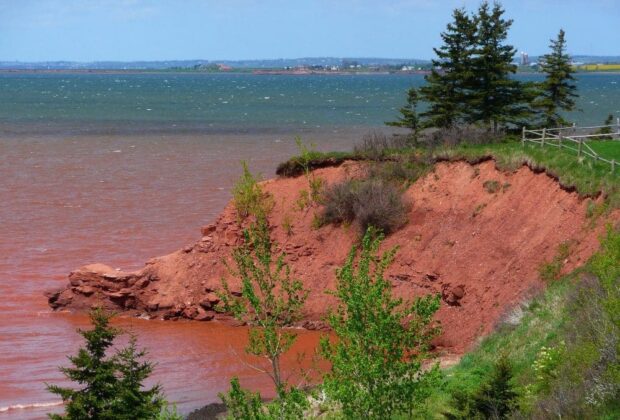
496, 398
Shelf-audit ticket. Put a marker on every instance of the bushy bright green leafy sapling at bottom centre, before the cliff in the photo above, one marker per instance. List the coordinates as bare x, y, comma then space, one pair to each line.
380, 341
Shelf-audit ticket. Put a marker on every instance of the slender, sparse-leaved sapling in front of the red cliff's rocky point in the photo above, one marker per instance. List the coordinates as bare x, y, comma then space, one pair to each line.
270, 301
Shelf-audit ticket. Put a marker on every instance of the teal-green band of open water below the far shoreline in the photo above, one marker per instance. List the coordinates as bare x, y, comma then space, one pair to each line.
230, 102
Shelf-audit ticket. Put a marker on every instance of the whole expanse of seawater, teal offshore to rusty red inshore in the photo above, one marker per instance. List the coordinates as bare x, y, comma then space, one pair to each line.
119, 168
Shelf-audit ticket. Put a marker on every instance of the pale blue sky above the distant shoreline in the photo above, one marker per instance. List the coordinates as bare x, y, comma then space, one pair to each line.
84, 30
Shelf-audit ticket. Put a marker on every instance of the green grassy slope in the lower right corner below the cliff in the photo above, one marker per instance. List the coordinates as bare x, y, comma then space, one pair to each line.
576, 316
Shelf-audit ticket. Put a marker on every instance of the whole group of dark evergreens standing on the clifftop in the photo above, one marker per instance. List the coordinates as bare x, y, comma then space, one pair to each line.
471, 79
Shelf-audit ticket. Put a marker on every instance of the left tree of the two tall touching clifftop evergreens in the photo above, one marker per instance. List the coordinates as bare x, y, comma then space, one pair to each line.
448, 85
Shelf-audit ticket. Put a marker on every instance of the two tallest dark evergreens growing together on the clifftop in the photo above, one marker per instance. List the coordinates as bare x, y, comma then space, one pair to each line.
474, 85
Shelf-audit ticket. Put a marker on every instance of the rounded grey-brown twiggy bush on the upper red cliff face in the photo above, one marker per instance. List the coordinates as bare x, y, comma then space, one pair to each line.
370, 202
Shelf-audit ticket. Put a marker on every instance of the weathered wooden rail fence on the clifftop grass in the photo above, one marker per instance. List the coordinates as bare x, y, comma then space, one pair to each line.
575, 138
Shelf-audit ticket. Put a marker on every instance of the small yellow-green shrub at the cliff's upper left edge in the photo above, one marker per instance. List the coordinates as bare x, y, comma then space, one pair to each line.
248, 197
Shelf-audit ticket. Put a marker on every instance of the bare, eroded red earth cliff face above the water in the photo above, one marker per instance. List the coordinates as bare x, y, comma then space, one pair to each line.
481, 251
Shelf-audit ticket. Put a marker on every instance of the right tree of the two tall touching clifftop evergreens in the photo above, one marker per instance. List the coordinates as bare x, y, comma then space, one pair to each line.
496, 99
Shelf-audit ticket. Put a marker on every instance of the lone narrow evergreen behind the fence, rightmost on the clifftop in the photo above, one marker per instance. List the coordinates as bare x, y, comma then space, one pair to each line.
558, 91
